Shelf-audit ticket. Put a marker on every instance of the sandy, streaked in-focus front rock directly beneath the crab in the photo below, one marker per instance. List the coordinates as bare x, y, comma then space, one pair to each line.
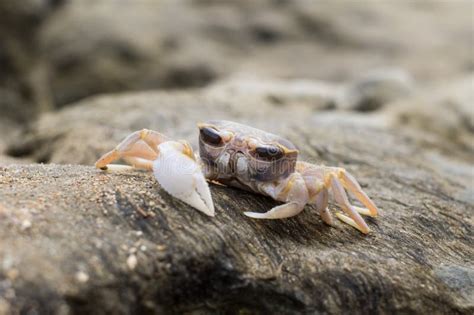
229, 262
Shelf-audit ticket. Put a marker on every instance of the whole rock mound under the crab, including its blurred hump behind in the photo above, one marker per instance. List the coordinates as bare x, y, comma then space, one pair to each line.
74, 239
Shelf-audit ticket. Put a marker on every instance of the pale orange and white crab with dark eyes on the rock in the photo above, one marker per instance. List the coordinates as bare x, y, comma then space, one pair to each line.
240, 156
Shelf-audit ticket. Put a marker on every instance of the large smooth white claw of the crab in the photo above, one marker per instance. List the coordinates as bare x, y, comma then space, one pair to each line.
178, 172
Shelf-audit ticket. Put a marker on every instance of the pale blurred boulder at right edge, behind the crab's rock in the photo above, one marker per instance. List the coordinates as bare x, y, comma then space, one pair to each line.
443, 112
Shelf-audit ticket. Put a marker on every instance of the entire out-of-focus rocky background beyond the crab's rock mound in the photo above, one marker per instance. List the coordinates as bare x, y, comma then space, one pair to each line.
354, 54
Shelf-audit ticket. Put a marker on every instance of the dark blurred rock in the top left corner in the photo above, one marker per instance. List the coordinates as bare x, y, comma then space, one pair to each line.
22, 76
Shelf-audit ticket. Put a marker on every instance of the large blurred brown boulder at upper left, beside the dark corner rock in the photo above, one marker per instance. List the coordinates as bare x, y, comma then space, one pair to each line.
111, 47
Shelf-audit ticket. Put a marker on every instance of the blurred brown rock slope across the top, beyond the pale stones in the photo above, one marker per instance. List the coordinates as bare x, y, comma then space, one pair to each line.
64, 51
